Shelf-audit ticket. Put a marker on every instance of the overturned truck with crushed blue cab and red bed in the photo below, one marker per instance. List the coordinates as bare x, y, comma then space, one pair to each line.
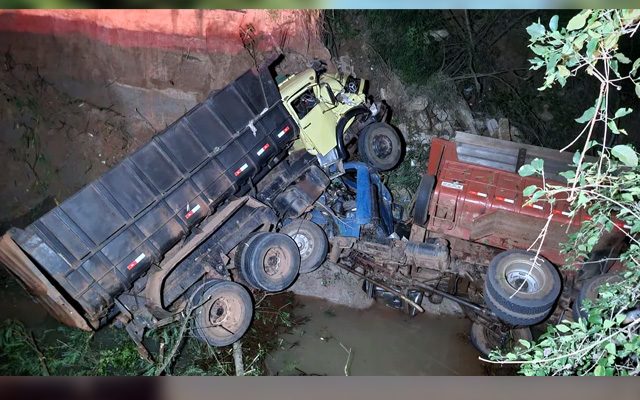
468, 240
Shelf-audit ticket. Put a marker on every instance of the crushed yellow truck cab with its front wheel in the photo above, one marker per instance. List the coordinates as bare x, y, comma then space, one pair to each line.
332, 110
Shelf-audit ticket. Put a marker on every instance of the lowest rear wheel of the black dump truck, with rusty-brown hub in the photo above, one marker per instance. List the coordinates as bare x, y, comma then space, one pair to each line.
223, 313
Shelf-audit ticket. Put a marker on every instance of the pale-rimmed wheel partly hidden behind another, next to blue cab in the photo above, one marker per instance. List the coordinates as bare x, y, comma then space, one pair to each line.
312, 243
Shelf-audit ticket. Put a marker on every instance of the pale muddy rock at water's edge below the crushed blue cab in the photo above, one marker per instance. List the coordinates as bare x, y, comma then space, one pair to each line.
333, 284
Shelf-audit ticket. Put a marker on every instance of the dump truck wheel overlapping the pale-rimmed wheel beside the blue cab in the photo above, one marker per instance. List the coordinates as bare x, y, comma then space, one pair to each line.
269, 261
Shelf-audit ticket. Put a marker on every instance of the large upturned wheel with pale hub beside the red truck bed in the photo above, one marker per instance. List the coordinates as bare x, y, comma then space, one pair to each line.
520, 288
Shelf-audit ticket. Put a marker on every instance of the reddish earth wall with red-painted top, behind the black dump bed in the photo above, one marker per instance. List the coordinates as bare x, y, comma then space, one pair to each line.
81, 89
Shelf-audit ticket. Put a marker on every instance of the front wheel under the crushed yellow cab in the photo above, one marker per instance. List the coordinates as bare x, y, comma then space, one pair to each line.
380, 146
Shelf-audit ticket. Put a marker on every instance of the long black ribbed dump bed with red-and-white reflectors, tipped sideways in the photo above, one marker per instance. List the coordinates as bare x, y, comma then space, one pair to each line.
95, 244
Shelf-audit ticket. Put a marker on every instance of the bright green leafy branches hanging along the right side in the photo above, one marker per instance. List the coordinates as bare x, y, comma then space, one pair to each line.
608, 189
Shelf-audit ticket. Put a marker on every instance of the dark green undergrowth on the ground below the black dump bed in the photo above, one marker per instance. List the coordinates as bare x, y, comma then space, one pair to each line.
110, 351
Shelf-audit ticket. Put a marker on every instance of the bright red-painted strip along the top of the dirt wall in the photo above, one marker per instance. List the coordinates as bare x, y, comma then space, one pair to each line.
198, 30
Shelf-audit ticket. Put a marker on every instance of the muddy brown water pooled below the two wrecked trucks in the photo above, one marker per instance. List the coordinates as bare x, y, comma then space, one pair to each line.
382, 342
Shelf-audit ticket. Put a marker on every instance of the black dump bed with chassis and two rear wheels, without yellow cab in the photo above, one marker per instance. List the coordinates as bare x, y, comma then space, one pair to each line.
150, 241
